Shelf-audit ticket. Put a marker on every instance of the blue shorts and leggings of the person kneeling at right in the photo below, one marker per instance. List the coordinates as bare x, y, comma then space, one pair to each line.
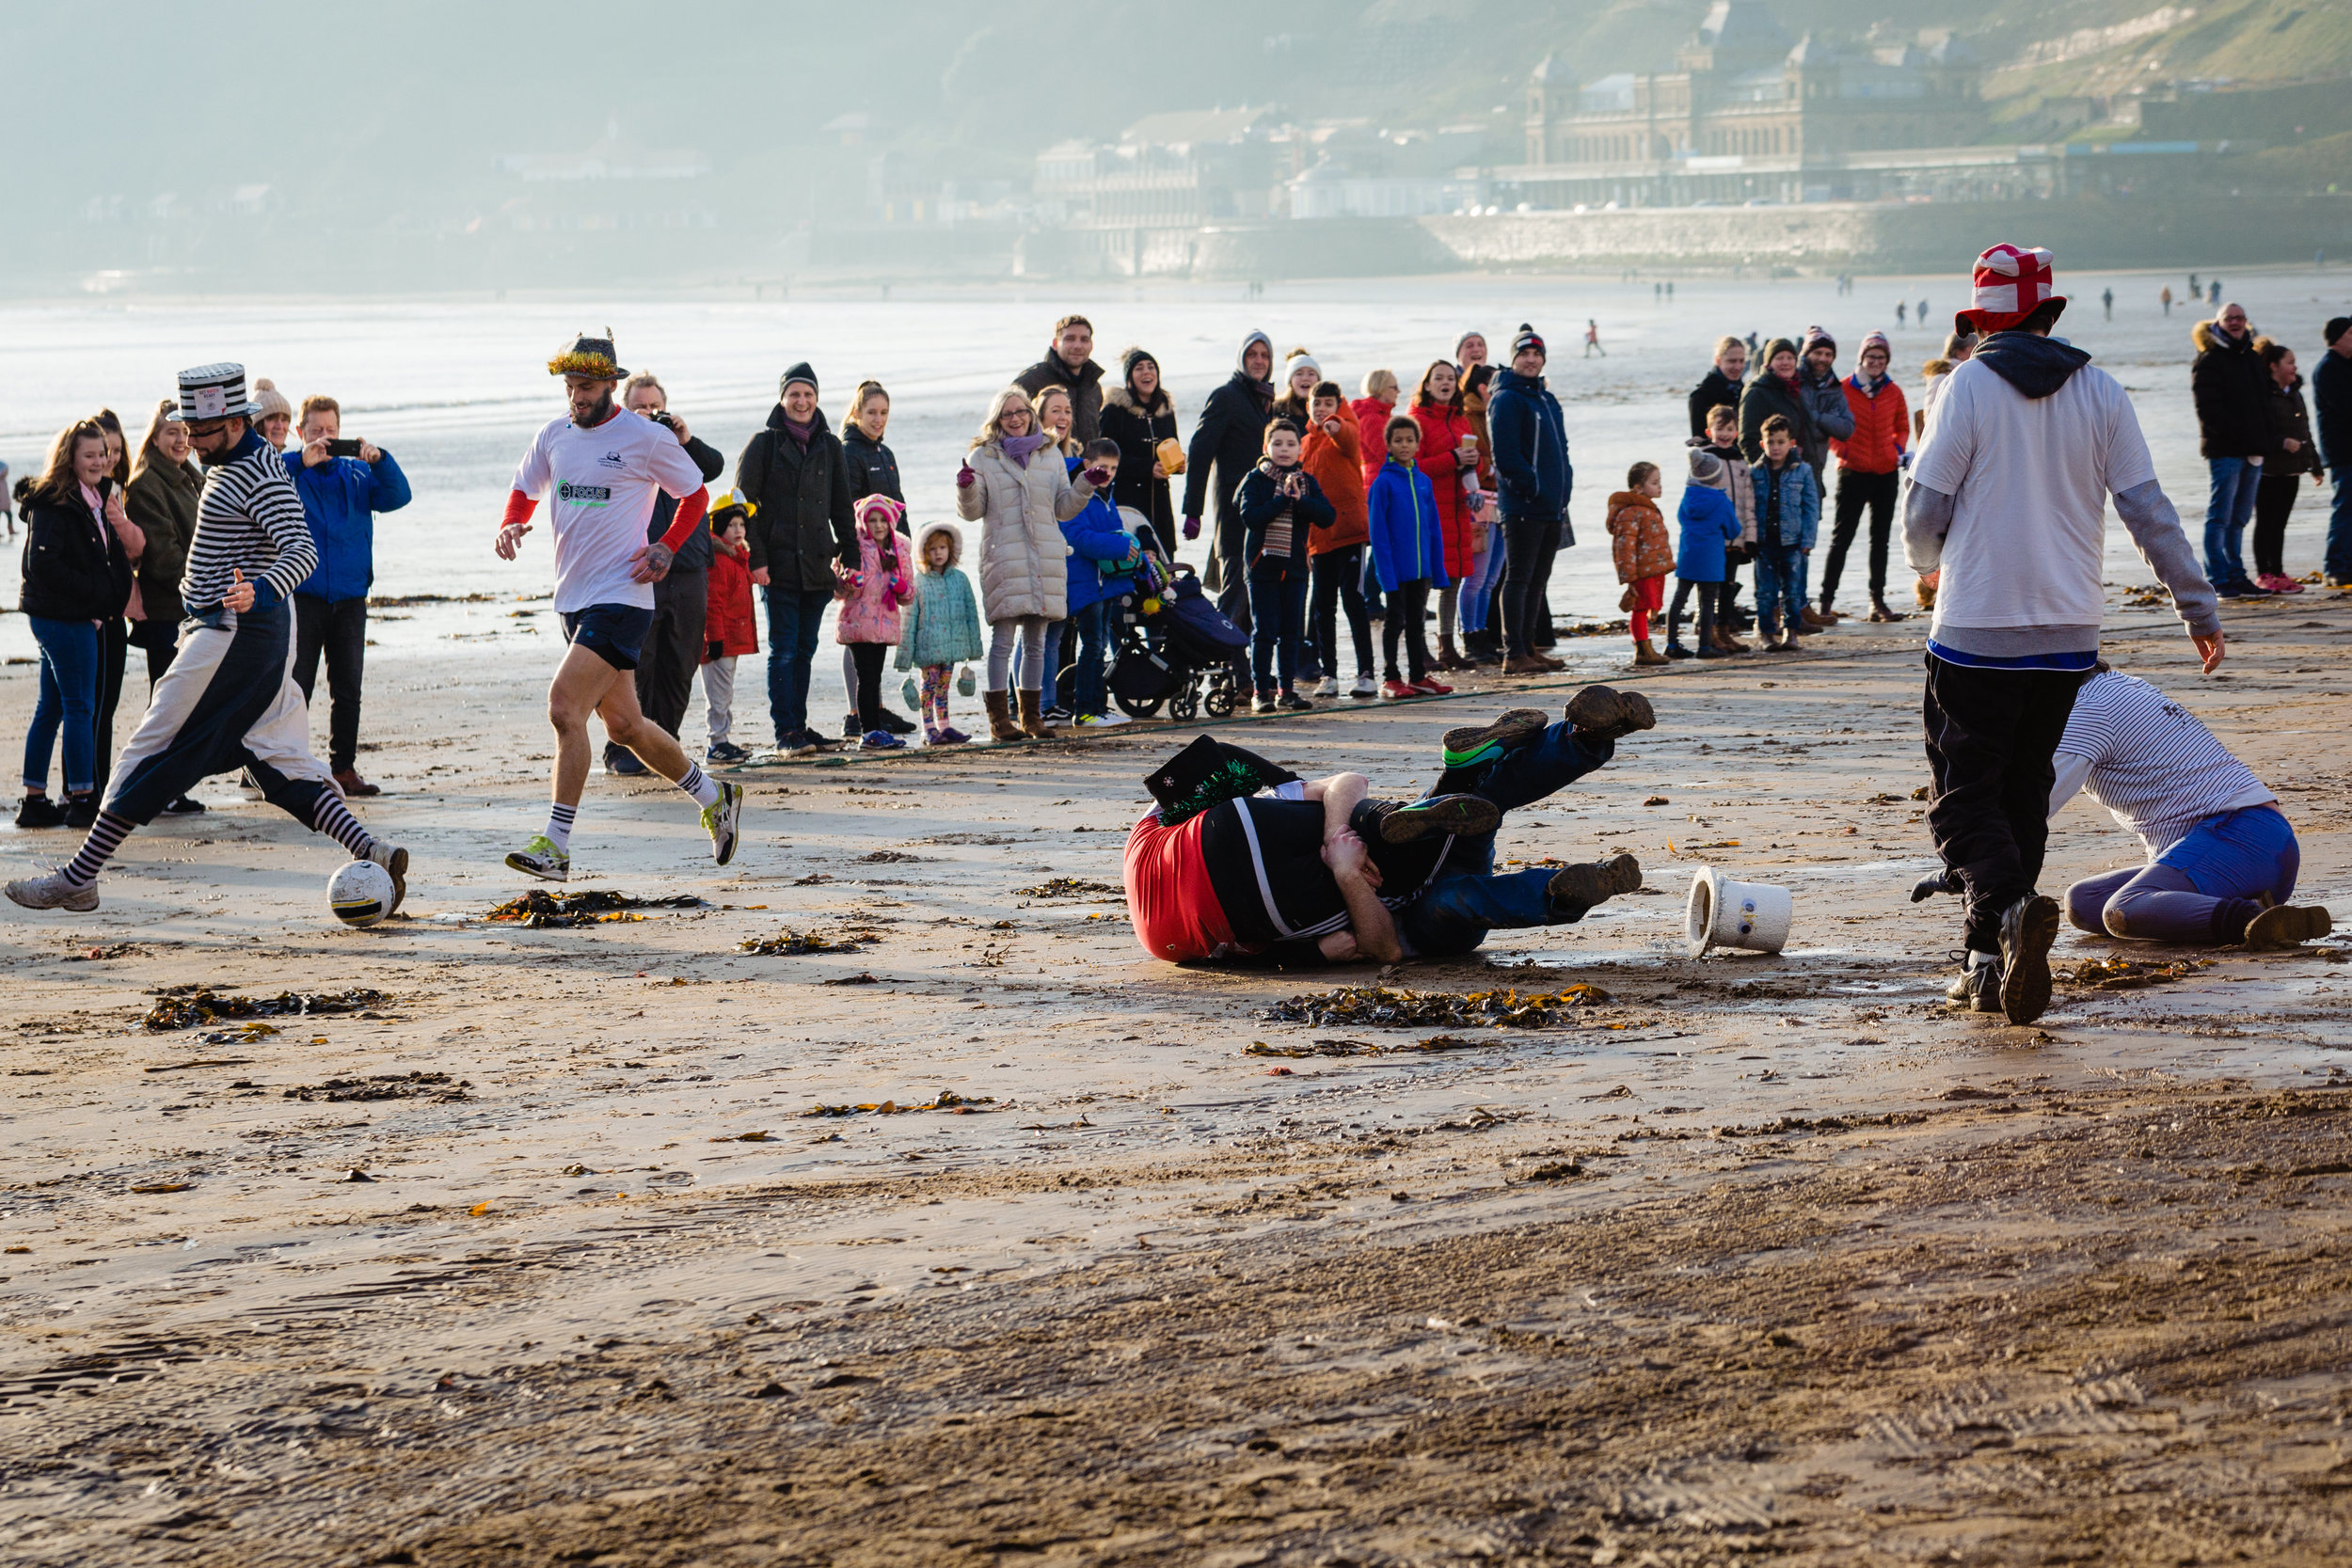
2203, 890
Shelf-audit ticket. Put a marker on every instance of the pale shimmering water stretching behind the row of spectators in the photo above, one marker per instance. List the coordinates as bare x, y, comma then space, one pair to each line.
457, 387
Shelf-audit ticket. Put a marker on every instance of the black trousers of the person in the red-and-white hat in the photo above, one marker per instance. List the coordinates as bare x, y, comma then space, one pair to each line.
1991, 746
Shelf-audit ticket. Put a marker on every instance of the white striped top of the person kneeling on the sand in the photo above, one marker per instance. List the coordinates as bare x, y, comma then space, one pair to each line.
2149, 760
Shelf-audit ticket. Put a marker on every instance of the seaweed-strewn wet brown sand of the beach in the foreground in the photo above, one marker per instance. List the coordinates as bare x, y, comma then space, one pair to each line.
1751, 1259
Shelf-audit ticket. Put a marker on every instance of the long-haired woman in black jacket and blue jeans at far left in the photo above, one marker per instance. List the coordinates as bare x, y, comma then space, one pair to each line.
76, 579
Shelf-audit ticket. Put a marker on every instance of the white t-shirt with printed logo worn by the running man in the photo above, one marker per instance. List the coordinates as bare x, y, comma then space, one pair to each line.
601, 500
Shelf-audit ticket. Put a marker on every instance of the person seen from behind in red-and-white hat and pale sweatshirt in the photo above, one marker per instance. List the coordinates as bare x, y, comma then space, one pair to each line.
2007, 500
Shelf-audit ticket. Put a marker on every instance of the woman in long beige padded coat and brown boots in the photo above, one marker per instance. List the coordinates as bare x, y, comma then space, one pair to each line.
1017, 488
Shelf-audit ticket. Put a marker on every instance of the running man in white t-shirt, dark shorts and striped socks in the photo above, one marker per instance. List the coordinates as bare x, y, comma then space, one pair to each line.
603, 474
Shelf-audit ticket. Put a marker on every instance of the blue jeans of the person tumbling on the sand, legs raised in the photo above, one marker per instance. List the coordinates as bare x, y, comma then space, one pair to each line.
1469, 899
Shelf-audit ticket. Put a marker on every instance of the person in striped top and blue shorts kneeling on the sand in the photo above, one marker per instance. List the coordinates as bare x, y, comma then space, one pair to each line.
2221, 857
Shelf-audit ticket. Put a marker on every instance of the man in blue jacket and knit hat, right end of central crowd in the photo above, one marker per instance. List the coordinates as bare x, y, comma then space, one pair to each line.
1535, 478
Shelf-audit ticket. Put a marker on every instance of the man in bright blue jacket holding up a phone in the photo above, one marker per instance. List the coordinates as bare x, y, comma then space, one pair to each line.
340, 500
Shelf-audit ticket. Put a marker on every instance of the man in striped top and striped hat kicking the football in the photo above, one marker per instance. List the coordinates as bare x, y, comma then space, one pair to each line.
229, 697
